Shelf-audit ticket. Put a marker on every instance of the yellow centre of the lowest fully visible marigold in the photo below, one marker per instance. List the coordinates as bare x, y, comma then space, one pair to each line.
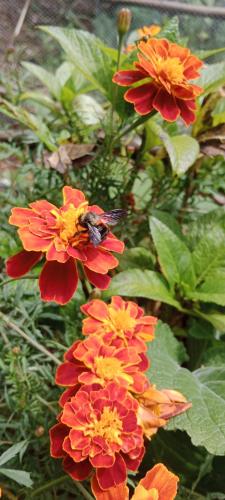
109, 426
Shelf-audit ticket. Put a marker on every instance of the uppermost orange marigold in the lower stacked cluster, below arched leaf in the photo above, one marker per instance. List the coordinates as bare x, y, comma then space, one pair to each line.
121, 323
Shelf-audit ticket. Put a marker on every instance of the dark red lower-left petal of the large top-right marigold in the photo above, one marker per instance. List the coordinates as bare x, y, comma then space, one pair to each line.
142, 97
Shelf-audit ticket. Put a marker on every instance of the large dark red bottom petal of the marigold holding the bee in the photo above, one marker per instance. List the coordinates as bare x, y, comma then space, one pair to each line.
58, 282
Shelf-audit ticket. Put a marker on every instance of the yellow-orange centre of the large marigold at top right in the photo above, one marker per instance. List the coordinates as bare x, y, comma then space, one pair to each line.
170, 69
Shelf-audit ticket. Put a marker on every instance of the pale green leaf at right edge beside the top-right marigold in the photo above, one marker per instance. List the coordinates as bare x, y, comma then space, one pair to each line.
212, 77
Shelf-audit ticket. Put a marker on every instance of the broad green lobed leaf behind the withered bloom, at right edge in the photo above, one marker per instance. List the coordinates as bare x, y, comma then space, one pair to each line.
205, 388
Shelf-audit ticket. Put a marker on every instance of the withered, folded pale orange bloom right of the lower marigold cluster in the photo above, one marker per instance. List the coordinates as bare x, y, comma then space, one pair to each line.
158, 406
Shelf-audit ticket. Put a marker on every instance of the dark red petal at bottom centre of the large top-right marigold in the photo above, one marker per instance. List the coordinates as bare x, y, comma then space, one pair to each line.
166, 105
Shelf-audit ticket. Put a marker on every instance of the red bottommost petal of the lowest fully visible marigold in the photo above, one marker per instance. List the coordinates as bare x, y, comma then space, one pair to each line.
109, 477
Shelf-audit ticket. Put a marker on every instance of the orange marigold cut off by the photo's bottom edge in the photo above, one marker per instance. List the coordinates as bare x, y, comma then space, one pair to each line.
158, 484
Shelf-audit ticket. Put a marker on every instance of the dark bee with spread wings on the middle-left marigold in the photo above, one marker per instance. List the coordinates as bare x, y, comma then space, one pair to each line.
97, 224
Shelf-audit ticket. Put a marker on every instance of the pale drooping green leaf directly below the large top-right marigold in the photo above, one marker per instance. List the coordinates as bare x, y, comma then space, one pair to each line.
183, 150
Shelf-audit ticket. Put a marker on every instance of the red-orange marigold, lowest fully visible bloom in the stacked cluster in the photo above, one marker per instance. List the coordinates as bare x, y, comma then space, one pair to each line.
98, 429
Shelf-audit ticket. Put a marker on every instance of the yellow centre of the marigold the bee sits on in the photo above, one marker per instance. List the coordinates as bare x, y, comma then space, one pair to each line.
67, 222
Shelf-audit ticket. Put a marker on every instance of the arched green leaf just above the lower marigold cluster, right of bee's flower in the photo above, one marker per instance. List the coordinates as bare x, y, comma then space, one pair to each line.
138, 283
